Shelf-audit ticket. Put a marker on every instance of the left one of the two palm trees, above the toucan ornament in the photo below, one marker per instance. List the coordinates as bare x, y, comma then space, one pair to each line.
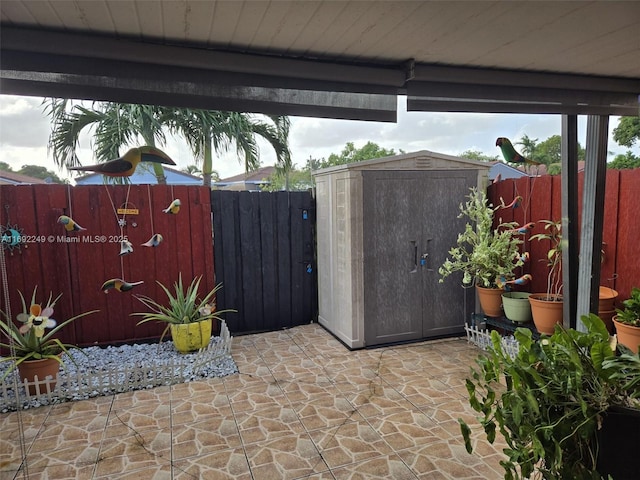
115, 124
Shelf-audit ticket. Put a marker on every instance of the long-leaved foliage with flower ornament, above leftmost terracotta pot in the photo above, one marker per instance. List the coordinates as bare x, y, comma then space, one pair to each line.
29, 341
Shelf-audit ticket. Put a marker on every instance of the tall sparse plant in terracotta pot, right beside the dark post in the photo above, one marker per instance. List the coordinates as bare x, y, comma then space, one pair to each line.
546, 308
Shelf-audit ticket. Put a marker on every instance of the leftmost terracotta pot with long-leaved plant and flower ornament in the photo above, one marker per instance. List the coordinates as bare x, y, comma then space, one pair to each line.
32, 351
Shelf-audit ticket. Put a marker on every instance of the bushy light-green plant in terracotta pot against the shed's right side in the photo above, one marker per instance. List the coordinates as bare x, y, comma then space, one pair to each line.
486, 256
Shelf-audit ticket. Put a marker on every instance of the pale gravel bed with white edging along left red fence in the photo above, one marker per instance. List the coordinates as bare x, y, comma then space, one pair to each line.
105, 359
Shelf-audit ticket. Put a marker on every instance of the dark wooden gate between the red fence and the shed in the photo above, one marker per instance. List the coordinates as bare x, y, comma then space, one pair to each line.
264, 255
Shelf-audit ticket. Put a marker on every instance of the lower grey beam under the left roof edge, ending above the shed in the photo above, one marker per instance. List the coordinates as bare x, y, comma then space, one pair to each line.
270, 101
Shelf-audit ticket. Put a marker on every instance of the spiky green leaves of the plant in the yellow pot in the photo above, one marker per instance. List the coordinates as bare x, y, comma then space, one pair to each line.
184, 306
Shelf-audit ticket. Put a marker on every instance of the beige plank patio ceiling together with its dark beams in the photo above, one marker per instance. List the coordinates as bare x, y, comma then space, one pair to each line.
341, 59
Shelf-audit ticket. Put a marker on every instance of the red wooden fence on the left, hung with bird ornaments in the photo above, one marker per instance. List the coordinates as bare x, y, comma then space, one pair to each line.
76, 264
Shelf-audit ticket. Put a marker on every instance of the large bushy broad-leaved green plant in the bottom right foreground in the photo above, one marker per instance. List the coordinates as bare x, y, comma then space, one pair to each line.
550, 400
